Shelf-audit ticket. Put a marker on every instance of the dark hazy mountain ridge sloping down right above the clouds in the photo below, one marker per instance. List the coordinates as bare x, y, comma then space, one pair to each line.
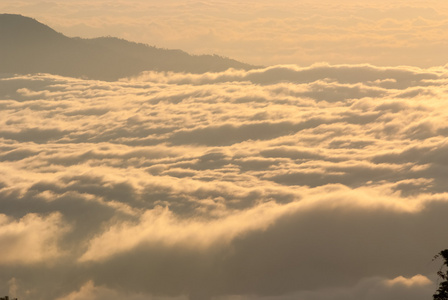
28, 46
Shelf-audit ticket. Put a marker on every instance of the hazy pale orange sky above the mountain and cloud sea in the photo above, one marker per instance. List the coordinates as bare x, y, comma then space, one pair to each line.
263, 32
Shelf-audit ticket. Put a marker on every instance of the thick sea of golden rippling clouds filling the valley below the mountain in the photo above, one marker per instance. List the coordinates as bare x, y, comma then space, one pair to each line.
277, 183
